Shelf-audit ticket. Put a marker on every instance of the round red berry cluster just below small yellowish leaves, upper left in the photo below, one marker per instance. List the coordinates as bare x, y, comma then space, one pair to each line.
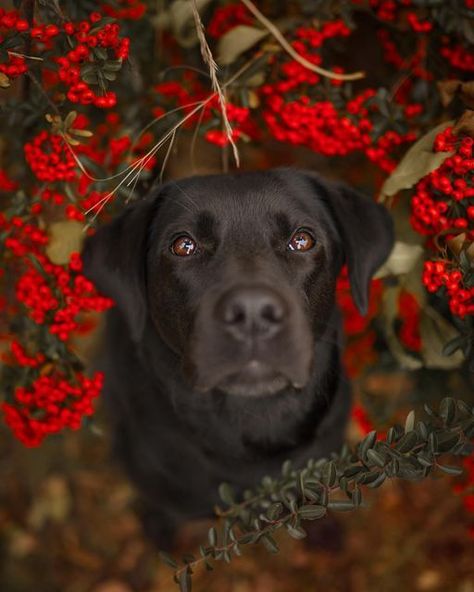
50, 158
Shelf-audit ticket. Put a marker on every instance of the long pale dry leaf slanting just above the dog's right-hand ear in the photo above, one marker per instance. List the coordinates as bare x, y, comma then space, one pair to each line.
417, 162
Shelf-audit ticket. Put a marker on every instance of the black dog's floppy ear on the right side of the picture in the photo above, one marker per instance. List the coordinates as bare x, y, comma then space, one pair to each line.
366, 231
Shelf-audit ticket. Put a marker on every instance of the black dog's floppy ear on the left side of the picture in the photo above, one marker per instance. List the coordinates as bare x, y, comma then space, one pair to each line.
115, 261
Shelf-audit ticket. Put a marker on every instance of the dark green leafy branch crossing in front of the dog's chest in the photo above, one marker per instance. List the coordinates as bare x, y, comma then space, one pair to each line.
336, 484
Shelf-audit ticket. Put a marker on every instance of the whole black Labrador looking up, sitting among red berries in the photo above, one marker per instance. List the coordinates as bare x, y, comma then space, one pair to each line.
223, 353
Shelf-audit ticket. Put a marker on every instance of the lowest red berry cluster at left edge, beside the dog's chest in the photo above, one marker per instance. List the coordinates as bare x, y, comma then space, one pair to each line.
50, 404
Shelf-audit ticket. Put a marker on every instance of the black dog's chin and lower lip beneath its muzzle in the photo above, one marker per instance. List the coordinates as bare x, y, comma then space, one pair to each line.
255, 379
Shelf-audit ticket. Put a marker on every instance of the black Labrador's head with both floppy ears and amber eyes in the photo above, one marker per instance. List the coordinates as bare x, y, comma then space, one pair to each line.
237, 273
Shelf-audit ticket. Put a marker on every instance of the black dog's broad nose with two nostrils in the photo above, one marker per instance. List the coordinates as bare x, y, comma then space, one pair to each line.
252, 312
